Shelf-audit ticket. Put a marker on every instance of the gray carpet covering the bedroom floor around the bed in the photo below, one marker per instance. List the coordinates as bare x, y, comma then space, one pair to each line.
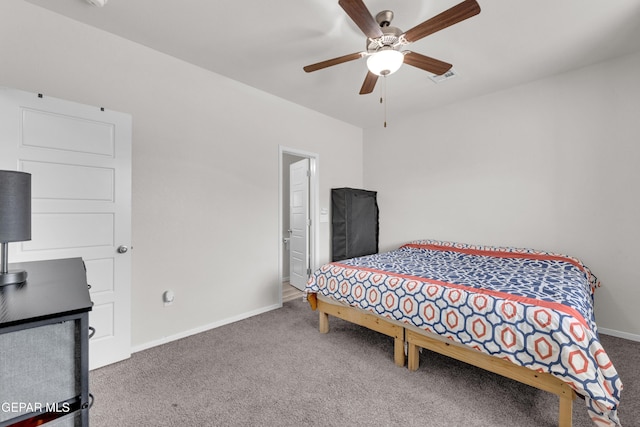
276, 369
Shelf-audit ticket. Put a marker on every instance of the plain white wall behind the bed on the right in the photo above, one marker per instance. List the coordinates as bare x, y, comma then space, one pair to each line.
552, 165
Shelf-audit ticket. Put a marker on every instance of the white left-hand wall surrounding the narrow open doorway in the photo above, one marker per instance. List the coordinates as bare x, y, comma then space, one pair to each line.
205, 165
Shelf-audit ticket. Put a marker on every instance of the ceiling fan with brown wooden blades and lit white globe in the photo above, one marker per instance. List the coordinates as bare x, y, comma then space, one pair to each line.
384, 41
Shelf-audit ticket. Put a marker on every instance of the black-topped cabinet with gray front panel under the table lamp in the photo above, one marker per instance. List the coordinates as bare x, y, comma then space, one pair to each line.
44, 343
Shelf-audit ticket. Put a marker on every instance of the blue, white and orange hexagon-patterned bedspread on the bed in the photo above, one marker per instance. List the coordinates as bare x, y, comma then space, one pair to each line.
532, 308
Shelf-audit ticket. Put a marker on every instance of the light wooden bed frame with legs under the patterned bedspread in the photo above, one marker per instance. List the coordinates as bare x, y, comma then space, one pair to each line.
416, 340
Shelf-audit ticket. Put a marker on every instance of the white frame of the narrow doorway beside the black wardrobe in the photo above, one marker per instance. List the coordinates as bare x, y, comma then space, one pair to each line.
287, 157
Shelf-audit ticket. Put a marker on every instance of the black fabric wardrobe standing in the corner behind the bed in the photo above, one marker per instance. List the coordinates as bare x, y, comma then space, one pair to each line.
354, 223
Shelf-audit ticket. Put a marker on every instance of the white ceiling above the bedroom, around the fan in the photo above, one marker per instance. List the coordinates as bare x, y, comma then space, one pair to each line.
265, 44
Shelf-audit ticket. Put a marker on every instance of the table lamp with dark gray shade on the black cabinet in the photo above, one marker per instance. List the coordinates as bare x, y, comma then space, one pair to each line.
15, 220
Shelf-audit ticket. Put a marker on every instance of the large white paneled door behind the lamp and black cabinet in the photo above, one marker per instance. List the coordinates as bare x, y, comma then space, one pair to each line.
79, 158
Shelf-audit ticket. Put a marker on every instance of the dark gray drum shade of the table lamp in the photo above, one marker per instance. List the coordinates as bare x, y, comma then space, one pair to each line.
15, 206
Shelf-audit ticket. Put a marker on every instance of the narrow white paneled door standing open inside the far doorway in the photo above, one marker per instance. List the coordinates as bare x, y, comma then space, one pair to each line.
299, 223
